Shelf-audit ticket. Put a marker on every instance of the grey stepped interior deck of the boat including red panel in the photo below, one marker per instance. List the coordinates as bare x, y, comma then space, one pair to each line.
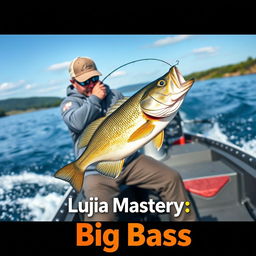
198, 163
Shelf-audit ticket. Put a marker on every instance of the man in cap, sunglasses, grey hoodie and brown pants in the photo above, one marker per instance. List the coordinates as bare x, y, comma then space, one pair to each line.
89, 99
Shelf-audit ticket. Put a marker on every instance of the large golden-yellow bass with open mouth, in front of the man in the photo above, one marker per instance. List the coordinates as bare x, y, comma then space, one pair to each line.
128, 126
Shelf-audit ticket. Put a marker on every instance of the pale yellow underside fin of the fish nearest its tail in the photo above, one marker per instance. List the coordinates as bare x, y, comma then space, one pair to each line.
110, 168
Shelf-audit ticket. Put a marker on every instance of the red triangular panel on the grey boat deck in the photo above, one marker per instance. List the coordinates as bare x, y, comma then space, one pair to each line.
206, 187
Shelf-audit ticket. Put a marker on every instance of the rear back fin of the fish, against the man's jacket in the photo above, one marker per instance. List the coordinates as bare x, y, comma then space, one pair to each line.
86, 135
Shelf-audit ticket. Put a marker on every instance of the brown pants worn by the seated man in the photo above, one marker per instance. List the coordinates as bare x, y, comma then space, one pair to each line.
144, 172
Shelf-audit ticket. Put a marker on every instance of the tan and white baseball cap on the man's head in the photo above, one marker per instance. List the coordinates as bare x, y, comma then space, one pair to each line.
83, 68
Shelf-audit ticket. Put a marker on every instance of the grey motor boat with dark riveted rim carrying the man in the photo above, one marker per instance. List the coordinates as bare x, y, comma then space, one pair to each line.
220, 179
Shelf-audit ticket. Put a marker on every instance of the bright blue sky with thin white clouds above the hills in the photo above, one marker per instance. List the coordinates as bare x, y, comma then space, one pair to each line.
37, 65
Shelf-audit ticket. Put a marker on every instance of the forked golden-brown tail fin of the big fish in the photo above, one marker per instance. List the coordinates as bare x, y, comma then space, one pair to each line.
73, 174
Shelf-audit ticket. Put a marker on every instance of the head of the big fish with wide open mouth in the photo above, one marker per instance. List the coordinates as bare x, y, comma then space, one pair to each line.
165, 95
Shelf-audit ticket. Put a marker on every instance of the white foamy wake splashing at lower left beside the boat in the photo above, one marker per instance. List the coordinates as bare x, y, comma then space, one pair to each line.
30, 197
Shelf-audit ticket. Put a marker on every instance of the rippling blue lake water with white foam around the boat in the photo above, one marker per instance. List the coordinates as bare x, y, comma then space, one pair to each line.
35, 145
